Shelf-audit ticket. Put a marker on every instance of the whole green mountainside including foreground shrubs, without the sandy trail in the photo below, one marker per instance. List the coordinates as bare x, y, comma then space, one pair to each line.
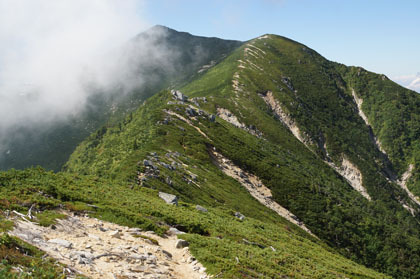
334, 147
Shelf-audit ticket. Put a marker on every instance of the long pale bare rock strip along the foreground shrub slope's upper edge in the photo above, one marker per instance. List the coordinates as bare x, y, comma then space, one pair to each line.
256, 188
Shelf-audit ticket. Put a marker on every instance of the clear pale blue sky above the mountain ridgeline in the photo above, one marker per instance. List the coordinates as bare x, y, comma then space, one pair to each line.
381, 36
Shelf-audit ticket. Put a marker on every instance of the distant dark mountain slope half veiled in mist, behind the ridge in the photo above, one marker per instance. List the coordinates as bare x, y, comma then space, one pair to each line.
50, 144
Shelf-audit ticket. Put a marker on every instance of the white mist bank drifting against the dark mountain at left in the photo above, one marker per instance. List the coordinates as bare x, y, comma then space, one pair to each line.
53, 53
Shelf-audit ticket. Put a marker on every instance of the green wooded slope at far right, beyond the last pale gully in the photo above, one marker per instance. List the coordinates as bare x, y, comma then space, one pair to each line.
393, 113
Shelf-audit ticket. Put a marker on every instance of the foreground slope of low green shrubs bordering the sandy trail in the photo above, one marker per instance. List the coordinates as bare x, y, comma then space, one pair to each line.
216, 237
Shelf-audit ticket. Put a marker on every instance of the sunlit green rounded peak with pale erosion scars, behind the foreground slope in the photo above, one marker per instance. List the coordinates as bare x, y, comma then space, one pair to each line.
288, 117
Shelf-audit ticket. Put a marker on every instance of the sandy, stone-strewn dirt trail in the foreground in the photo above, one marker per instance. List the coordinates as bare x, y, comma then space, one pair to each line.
100, 249
